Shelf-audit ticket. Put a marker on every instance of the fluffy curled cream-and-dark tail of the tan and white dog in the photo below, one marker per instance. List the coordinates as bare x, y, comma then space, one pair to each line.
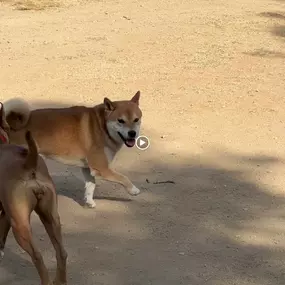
17, 113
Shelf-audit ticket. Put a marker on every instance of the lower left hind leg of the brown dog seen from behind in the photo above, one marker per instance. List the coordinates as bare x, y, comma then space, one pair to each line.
23, 235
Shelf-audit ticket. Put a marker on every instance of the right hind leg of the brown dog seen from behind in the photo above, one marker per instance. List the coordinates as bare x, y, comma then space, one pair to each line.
50, 218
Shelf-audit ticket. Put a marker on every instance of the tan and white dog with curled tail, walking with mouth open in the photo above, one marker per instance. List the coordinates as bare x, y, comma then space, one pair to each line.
80, 136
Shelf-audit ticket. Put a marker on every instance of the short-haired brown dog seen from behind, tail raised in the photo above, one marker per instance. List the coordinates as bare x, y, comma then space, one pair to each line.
25, 185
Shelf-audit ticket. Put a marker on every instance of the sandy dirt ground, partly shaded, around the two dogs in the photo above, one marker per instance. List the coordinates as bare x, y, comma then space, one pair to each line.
212, 79
